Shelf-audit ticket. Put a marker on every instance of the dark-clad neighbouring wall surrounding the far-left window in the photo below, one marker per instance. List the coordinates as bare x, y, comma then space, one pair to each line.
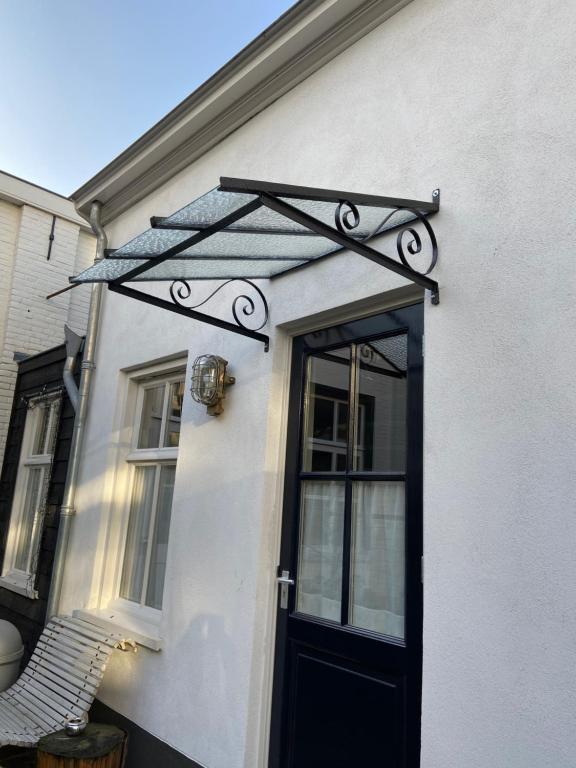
43, 371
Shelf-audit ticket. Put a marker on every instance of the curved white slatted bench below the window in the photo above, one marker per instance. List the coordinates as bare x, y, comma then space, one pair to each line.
59, 682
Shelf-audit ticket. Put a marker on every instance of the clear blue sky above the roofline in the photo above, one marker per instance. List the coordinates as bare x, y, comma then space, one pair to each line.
81, 80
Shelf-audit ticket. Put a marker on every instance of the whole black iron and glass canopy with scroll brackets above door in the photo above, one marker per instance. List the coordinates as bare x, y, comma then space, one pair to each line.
244, 230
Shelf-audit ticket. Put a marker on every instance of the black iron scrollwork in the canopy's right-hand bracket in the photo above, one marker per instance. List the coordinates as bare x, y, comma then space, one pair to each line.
347, 218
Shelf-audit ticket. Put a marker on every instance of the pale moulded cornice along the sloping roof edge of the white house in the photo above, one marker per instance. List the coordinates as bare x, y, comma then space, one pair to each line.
302, 40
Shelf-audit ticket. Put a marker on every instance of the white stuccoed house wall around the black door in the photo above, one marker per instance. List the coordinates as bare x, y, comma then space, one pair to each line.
478, 100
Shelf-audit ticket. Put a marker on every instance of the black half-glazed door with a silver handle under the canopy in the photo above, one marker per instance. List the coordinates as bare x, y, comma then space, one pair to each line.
349, 631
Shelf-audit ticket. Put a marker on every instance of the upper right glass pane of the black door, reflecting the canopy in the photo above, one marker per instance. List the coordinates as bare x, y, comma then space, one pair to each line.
380, 429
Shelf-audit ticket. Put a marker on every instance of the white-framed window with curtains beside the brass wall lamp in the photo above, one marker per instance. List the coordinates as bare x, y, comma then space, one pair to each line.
152, 467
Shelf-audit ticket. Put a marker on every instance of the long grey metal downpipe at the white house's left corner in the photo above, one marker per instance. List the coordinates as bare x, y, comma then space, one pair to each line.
67, 510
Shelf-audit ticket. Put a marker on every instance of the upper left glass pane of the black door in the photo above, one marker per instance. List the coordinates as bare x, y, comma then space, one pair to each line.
326, 411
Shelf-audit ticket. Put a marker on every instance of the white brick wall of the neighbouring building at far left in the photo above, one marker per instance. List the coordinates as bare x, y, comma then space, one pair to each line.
29, 322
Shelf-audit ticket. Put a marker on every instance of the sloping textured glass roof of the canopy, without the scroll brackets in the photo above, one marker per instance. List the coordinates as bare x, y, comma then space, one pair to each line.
234, 231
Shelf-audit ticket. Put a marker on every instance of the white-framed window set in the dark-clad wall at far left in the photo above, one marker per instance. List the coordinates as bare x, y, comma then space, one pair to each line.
30, 494
